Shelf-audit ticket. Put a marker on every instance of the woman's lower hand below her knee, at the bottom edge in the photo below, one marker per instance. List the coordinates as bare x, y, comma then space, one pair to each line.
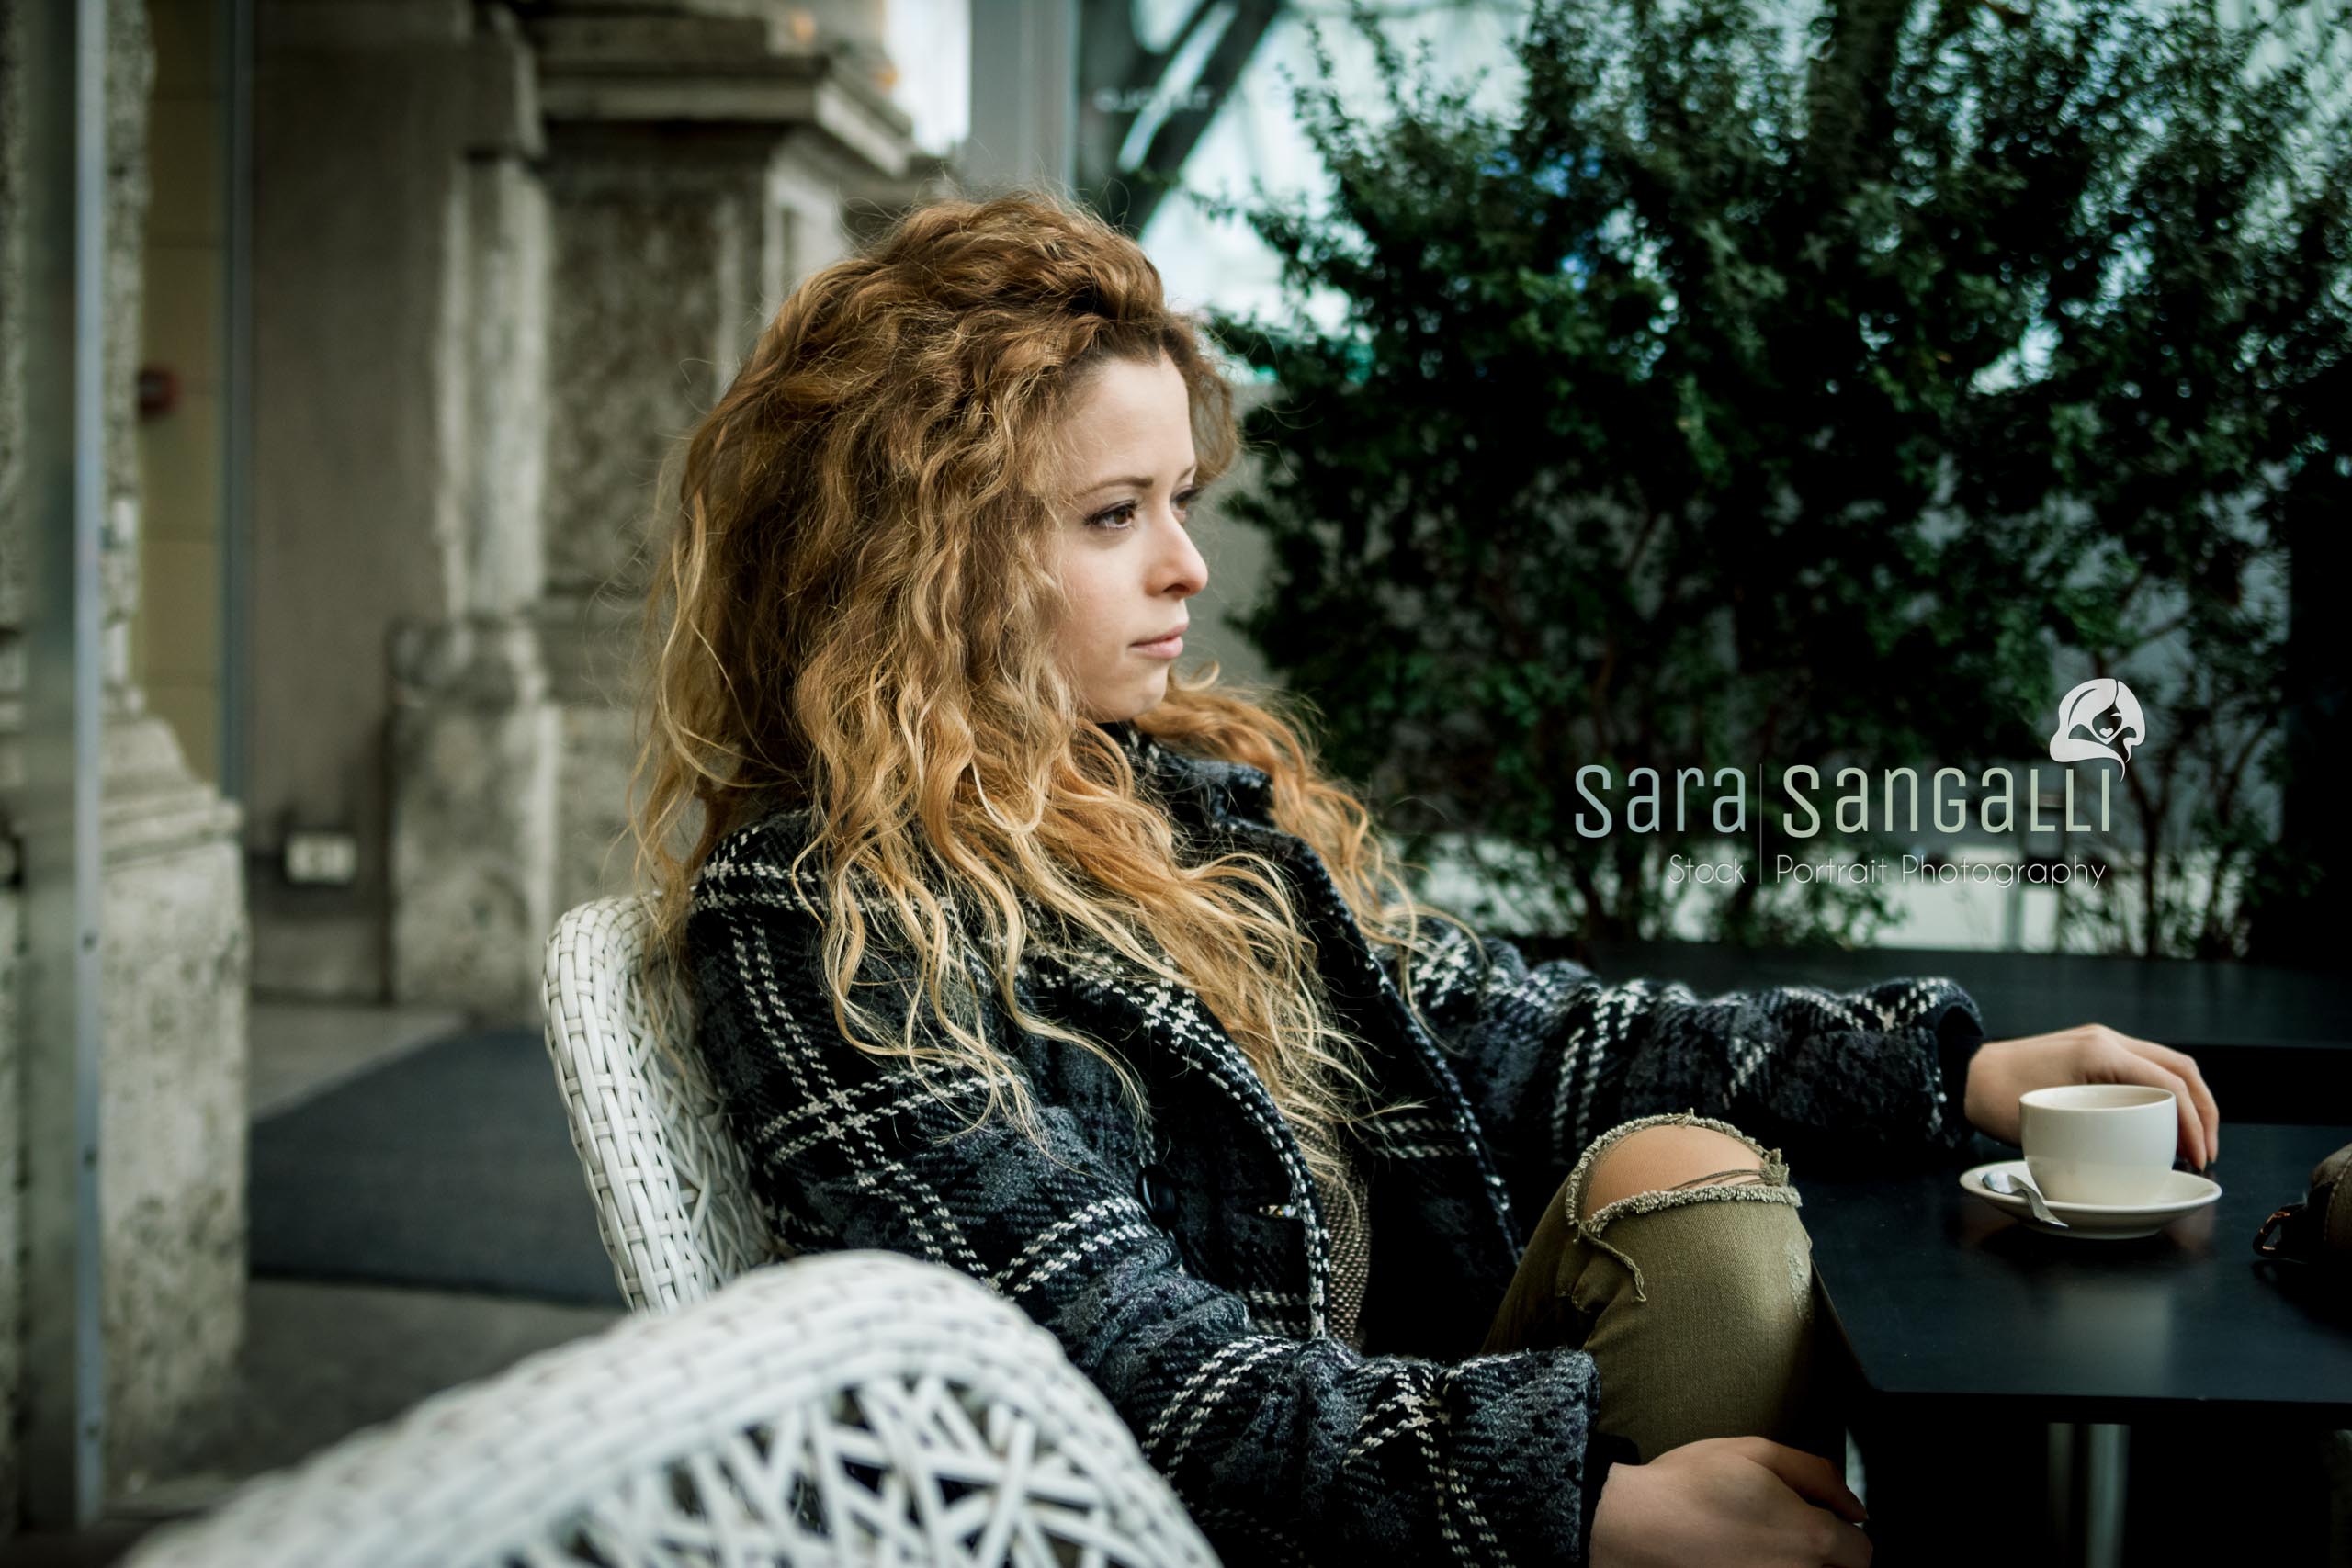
1728, 1501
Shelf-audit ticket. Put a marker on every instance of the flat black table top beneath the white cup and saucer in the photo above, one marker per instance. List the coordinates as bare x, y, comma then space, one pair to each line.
1942, 1296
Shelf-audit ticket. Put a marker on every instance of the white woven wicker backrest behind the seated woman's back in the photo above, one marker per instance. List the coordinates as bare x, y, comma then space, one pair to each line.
671, 1188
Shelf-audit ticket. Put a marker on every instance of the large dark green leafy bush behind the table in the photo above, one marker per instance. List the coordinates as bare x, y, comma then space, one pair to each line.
1833, 389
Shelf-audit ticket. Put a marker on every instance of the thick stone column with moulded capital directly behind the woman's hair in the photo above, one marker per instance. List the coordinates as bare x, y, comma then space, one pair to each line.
695, 168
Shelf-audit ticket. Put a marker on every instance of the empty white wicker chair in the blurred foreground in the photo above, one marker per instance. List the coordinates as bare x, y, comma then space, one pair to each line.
838, 1409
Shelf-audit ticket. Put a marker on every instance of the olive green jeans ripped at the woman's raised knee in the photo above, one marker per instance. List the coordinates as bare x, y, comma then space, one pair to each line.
1699, 1306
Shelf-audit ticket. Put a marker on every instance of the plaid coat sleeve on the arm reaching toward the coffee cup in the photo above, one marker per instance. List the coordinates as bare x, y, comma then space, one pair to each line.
1553, 1057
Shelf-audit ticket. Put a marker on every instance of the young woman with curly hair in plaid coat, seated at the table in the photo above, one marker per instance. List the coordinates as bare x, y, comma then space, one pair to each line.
1020, 951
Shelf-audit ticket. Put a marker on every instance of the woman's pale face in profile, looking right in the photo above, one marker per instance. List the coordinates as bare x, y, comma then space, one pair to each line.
1128, 561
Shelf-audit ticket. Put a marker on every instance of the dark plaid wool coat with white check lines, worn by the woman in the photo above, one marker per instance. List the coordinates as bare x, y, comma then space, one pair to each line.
1184, 1266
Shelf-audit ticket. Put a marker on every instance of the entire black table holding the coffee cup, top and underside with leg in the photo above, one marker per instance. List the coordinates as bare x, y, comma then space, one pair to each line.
1977, 1341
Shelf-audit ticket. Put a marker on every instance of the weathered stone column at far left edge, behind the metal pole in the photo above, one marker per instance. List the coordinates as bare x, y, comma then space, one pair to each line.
173, 897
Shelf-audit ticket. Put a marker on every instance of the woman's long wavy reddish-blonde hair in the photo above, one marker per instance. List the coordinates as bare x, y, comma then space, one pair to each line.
855, 612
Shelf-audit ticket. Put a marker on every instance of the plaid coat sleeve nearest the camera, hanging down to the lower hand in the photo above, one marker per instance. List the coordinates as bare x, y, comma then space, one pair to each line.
1281, 1449
